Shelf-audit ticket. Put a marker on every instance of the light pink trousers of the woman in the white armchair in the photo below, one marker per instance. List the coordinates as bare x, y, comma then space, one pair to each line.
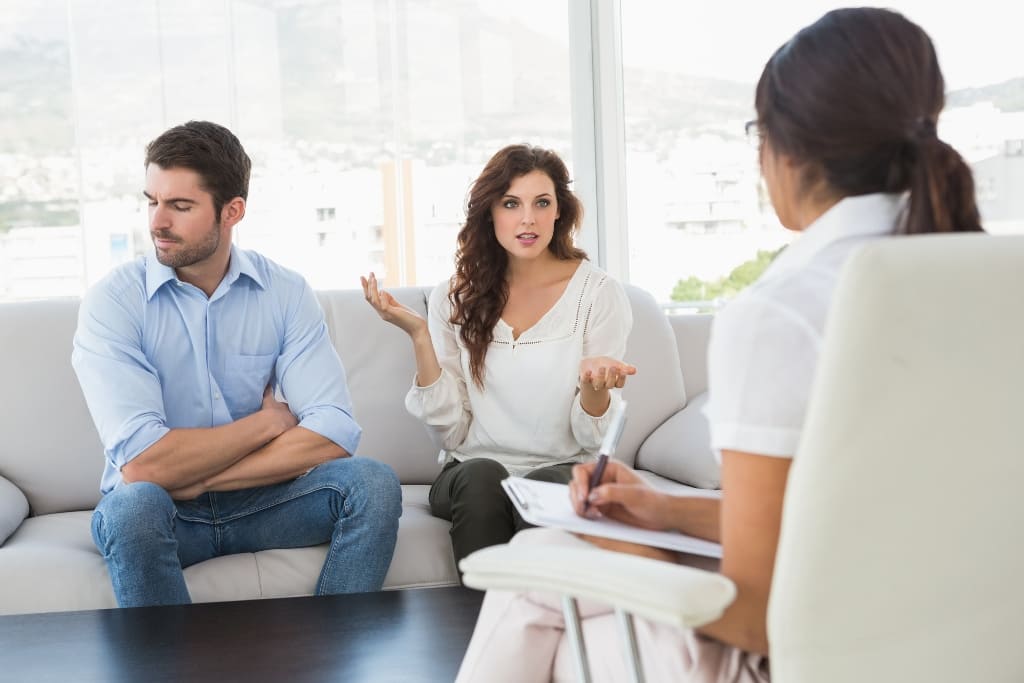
520, 637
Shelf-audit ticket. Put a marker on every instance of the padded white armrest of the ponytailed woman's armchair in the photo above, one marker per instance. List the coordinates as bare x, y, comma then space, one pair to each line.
663, 592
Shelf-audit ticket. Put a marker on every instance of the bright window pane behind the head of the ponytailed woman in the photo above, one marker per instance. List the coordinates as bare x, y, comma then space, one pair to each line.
700, 225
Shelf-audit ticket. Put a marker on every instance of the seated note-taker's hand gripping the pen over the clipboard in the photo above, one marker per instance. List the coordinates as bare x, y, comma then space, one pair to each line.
622, 495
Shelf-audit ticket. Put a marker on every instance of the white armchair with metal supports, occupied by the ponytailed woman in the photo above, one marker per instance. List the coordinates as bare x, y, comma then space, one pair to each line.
901, 557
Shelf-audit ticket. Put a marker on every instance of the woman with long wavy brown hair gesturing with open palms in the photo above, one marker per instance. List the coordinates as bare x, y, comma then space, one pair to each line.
521, 352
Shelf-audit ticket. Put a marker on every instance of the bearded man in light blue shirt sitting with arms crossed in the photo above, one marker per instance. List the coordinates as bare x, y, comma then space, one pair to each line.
182, 359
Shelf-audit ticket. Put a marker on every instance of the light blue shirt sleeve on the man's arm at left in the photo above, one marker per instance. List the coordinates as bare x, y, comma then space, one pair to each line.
121, 387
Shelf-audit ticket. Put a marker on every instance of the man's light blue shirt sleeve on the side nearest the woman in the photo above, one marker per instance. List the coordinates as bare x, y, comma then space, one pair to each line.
312, 376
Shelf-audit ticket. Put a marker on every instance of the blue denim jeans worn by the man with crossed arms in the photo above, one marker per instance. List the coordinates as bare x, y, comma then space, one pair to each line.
148, 539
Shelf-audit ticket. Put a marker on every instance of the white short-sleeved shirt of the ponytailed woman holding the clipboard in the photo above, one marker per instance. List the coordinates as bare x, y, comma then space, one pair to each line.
764, 346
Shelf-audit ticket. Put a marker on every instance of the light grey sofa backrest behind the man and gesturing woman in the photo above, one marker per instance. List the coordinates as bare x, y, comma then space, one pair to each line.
51, 450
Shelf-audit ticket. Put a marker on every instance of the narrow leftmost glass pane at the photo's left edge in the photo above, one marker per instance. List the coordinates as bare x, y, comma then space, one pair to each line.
40, 241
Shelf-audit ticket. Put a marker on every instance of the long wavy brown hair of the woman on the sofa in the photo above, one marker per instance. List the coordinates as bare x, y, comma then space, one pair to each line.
480, 290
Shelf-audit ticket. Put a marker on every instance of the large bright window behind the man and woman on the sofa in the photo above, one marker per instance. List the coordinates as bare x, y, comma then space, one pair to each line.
365, 118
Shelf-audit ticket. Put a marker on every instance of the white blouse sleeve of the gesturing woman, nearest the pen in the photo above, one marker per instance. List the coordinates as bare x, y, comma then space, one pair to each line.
608, 330
